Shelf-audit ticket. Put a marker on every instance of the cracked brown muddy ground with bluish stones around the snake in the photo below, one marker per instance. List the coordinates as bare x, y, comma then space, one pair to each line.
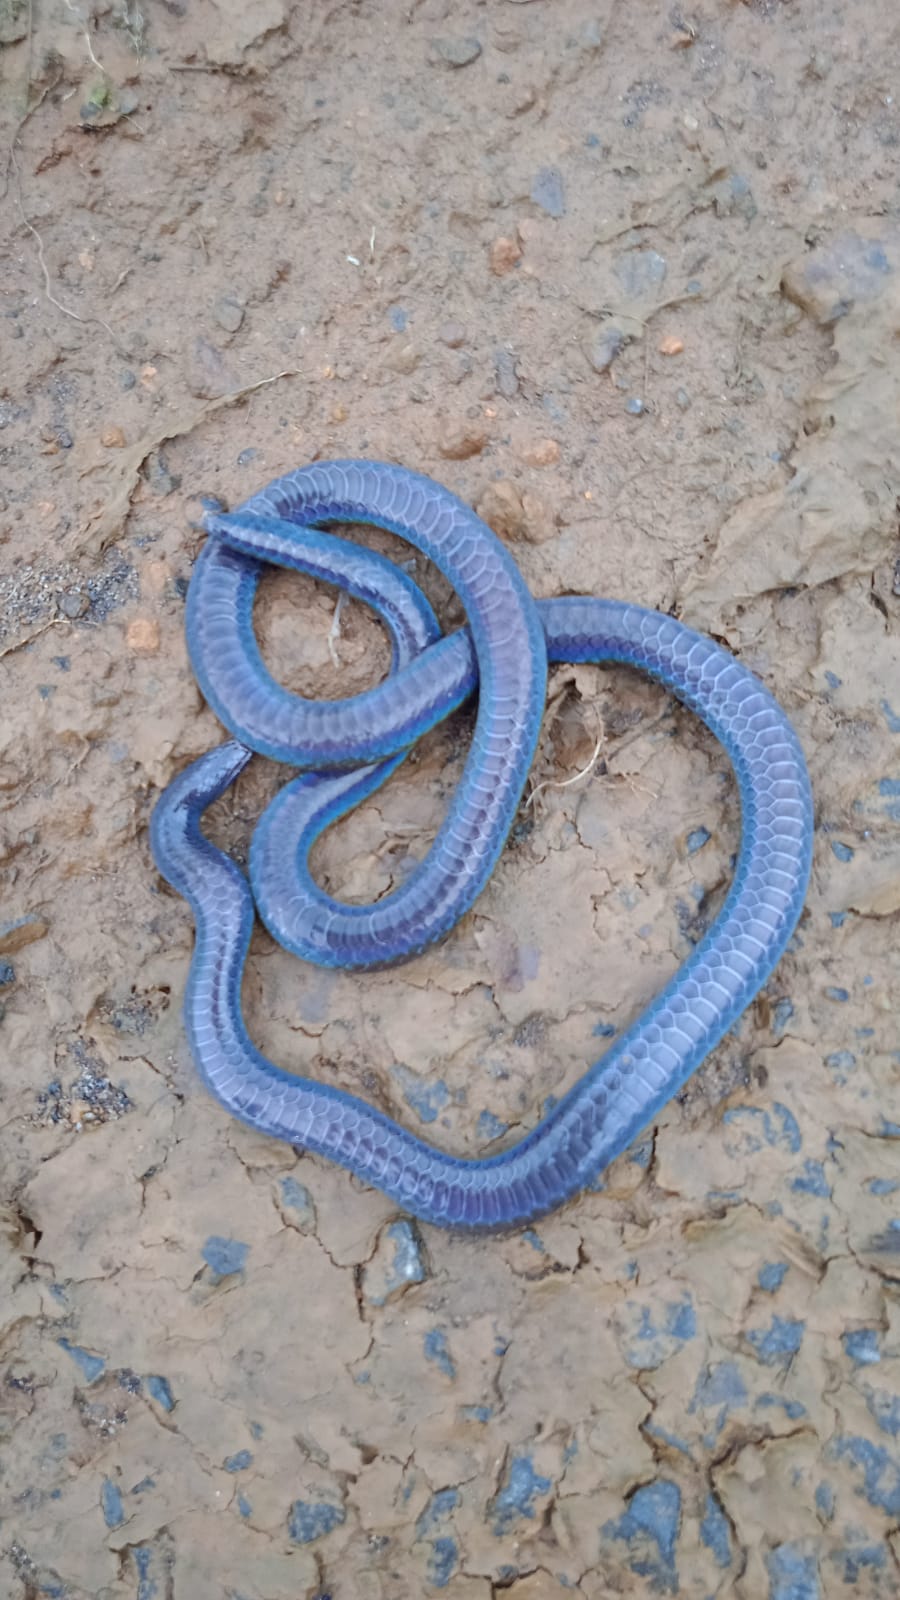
629, 279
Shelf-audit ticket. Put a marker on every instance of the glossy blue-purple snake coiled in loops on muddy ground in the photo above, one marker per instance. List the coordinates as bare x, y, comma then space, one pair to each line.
350, 748
